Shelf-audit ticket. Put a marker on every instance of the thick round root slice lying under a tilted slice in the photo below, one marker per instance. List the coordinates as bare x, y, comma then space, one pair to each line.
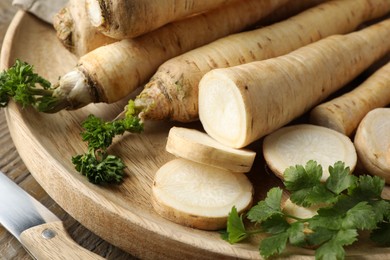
198, 195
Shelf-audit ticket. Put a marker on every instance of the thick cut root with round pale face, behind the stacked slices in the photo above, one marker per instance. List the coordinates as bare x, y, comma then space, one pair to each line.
252, 100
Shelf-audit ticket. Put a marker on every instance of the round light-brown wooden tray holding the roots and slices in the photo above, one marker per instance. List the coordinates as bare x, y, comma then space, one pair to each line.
121, 214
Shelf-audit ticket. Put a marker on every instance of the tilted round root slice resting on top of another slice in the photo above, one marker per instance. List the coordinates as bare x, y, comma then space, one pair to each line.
199, 147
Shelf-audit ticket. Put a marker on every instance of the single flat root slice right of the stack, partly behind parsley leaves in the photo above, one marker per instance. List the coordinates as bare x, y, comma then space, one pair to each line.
297, 144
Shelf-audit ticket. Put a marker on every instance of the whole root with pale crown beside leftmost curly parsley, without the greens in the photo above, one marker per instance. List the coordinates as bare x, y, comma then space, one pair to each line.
117, 69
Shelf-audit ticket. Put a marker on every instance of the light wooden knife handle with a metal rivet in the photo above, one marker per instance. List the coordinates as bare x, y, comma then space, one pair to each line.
52, 241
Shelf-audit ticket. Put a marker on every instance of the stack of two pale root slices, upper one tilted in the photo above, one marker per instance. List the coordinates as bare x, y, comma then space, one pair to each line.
199, 188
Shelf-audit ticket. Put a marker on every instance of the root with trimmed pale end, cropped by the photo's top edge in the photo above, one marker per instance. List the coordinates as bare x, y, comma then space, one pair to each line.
122, 19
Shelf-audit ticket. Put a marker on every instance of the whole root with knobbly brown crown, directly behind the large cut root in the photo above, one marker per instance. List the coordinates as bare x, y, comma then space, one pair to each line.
172, 92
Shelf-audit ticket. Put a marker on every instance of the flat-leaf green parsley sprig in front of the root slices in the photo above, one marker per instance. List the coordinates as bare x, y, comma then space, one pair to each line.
347, 204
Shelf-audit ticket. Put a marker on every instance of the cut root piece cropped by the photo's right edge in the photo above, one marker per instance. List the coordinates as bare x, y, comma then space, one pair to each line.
372, 142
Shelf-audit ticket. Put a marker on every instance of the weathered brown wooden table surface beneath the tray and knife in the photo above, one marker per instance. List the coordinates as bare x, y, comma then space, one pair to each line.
12, 165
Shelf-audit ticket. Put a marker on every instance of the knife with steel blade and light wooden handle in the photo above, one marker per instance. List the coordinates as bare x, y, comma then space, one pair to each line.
41, 233
